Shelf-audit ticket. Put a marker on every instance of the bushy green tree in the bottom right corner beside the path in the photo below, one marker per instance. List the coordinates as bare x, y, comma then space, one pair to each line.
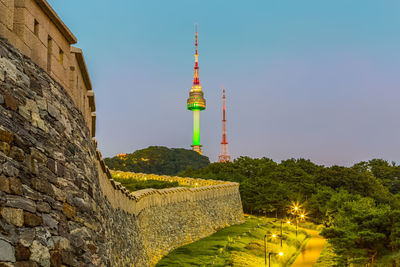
362, 230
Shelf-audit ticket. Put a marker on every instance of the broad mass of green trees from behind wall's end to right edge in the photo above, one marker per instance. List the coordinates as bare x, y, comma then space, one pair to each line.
359, 205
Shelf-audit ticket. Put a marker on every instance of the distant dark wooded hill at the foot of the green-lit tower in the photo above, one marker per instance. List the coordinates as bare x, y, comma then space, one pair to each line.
158, 160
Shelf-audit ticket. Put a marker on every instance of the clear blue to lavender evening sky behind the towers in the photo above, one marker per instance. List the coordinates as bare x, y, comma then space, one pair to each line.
313, 79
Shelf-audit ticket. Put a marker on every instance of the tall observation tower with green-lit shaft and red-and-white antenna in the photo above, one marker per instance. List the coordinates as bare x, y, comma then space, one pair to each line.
196, 102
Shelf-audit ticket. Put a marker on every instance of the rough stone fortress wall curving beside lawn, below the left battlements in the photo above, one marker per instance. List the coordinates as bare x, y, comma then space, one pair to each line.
58, 205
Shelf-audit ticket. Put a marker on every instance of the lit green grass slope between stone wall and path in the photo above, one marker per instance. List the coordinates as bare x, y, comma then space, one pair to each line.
240, 245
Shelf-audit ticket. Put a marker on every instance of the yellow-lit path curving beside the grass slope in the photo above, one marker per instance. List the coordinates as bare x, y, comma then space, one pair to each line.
309, 256
